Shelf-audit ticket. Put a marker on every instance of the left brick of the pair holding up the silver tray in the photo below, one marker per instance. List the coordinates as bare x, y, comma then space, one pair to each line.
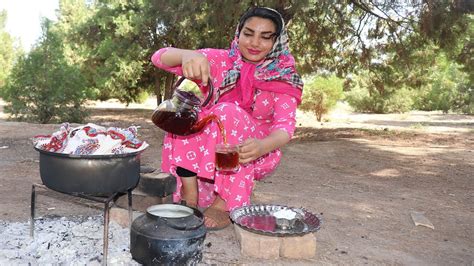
257, 246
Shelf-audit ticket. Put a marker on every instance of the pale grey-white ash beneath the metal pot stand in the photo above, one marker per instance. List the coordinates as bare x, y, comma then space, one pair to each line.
63, 241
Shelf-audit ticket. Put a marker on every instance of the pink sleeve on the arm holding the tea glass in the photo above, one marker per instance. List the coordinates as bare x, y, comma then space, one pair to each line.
284, 116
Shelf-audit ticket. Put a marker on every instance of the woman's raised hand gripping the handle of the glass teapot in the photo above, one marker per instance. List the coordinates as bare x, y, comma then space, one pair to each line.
195, 66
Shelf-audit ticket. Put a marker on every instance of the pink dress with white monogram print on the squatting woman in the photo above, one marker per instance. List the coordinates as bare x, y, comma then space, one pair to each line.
270, 111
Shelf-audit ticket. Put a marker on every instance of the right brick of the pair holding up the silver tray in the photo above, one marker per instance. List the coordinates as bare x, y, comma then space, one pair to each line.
298, 247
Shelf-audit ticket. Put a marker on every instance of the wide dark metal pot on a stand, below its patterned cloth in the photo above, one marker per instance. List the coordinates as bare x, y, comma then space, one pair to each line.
89, 174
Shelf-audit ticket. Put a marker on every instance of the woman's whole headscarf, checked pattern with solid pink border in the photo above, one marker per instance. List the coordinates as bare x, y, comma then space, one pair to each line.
278, 69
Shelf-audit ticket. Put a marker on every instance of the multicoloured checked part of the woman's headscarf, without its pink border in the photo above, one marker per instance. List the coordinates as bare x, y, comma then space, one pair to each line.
278, 65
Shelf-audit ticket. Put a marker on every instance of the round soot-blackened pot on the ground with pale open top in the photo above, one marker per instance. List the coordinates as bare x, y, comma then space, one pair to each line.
168, 234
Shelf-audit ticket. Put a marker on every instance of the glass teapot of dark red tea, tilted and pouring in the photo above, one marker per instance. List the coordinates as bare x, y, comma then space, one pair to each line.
179, 114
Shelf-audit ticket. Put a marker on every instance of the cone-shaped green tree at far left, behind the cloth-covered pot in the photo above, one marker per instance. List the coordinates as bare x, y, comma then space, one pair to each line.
43, 87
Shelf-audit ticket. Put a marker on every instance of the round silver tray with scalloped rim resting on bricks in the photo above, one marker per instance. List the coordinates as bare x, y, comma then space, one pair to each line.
260, 219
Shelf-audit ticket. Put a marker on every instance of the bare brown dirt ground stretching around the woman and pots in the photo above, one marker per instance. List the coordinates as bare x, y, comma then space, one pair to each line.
364, 174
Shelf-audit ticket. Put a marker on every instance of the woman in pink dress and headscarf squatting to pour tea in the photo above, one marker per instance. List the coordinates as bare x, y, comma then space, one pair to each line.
258, 91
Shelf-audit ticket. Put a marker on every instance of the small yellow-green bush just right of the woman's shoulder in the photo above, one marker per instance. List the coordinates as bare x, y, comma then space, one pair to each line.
321, 94
